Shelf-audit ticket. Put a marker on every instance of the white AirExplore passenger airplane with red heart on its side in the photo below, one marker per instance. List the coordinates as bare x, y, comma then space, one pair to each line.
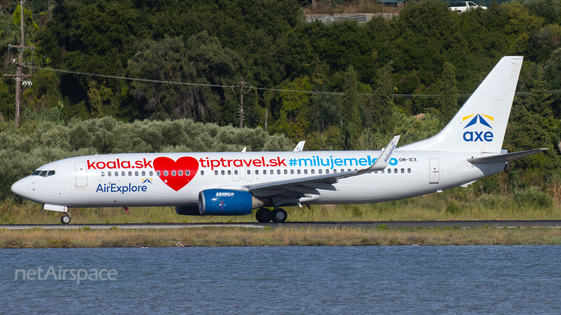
235, 183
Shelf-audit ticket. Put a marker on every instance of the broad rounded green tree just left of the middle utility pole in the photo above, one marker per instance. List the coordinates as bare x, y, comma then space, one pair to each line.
201, 60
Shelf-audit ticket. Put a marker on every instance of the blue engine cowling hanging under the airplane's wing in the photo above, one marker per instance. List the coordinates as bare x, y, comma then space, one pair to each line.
227, 202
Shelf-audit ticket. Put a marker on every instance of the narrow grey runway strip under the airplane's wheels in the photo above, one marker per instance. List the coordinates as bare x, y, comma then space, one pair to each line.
349, 224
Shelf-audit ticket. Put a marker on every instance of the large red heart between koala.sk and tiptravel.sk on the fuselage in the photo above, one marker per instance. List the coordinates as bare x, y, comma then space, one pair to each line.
176, 174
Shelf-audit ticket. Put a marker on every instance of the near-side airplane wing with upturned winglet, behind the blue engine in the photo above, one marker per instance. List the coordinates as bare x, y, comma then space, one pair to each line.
309, 185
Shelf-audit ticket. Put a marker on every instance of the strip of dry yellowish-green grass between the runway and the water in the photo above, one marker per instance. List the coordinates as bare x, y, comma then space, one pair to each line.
196, 237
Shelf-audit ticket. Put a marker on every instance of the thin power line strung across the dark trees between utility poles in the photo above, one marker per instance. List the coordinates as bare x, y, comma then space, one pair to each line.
257, 88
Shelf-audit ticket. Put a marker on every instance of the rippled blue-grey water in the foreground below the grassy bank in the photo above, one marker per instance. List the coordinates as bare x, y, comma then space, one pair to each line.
326, 280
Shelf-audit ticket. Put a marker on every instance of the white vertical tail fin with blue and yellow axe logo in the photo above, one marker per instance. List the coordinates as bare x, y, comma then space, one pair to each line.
480, 125
